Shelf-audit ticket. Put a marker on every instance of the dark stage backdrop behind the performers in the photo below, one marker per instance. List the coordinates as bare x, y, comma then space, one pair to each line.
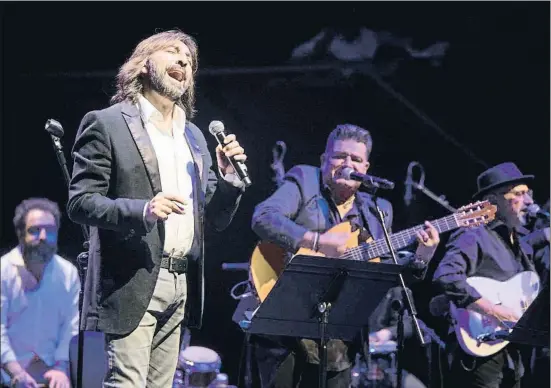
490, 93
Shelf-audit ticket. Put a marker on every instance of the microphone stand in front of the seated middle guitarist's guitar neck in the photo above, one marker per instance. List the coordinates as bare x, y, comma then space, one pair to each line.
400, 306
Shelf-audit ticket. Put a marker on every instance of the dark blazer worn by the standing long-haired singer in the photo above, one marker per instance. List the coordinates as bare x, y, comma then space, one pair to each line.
115, 174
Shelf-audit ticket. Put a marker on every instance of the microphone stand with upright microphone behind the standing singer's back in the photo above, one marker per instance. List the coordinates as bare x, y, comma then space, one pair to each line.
82, 258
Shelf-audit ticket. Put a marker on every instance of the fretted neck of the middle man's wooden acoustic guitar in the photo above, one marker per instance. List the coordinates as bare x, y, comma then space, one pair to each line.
379, 247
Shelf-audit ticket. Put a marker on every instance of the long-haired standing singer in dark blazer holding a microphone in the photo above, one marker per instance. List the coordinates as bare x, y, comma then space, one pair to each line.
143, 180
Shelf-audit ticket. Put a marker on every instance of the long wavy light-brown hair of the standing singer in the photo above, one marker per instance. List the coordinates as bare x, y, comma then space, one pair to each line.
129, 79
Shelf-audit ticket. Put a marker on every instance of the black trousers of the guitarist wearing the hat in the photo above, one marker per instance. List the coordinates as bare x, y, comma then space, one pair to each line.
485, 372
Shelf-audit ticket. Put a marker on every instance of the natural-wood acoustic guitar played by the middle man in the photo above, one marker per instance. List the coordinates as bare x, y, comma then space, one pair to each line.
268, 259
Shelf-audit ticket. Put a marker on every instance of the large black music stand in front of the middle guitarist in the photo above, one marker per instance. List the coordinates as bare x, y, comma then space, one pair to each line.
324, 298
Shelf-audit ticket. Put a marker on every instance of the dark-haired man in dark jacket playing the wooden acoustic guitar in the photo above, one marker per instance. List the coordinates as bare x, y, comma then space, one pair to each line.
299, 214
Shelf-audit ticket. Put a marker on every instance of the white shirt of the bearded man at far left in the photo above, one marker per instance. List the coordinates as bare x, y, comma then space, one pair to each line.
40, 322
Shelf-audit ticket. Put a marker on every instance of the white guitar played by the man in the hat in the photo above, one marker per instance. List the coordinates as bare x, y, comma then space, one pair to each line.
482, 335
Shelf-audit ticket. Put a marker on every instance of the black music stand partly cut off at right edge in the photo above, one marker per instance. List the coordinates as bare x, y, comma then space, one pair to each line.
533, 327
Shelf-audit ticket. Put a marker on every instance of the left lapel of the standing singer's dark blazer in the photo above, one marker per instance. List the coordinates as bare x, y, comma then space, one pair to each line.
143, 142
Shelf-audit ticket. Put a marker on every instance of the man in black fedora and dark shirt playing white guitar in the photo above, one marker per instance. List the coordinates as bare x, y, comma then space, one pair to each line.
498, 250
